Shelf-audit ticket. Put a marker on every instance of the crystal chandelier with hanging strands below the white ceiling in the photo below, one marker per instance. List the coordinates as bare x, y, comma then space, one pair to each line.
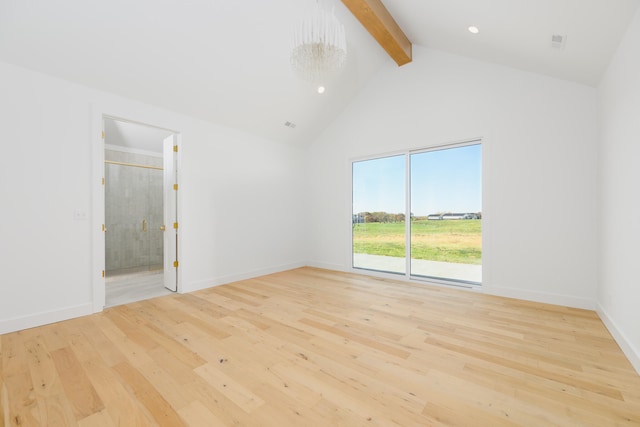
319, 47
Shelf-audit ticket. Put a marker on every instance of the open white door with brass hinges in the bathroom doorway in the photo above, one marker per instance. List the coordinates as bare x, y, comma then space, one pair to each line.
170, 214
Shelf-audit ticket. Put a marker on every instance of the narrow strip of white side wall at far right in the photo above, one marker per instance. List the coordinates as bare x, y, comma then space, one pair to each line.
619, 290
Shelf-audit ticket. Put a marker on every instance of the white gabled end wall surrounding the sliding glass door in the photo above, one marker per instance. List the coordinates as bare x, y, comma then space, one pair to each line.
540, 148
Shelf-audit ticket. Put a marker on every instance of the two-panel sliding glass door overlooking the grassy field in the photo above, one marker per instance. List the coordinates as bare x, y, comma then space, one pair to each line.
442, 203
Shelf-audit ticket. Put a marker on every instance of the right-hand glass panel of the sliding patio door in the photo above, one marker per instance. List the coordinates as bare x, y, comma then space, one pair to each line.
446, 213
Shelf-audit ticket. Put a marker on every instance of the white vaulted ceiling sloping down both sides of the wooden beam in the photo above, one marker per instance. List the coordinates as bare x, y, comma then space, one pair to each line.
228, 62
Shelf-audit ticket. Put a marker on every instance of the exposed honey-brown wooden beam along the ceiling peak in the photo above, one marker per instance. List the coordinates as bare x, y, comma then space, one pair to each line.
375, 17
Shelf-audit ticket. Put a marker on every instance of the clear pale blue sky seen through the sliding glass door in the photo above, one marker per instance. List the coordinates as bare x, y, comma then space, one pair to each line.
447, 180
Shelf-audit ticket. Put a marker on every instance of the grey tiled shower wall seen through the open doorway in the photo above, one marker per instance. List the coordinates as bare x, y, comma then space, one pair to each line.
132, 195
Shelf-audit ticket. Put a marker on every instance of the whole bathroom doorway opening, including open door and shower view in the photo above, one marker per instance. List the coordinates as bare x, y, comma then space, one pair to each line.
140, 190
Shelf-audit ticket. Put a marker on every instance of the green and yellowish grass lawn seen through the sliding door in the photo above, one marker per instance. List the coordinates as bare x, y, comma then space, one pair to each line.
457, 241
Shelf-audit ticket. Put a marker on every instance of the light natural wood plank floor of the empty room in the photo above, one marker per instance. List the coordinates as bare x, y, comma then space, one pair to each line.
310, 347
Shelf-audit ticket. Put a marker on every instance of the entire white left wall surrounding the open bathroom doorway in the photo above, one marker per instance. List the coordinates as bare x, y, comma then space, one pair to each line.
240, 198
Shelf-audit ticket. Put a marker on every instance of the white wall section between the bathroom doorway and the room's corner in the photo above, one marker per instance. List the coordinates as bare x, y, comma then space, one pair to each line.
243, 206
